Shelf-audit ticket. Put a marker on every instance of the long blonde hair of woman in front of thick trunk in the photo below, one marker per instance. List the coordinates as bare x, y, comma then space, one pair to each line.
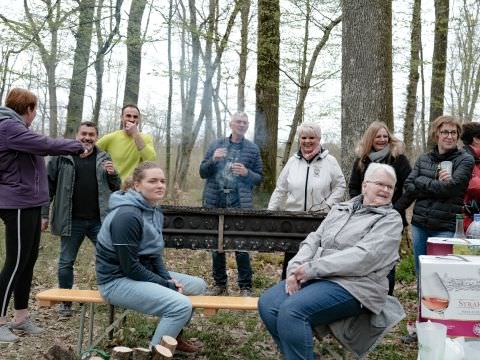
365, 145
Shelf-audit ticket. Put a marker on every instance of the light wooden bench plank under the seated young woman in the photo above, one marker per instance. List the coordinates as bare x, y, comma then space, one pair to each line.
51, 297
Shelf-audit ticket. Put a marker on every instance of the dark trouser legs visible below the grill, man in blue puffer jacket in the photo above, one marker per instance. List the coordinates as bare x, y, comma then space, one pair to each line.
243, 266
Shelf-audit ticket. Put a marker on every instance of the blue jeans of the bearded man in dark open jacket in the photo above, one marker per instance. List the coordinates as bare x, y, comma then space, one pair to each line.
69, 246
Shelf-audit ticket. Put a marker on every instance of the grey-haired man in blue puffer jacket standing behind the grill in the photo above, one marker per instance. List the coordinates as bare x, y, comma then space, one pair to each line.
231, 167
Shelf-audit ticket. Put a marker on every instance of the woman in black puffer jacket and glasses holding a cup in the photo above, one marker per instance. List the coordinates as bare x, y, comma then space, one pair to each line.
438, 191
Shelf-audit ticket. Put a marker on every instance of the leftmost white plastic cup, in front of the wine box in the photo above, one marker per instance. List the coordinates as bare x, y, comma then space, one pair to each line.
431, 340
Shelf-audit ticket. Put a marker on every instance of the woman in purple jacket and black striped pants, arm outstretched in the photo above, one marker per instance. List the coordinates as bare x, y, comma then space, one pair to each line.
23, 190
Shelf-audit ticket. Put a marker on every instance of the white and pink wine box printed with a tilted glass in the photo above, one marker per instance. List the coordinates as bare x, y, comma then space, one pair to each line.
450, 292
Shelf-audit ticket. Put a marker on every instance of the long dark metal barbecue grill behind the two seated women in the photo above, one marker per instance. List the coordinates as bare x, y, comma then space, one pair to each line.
237, 229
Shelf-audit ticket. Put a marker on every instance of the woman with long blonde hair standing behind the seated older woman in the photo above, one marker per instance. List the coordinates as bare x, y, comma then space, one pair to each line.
379, 145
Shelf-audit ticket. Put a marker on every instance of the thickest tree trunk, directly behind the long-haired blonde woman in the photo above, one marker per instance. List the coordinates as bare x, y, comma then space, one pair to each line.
366, 71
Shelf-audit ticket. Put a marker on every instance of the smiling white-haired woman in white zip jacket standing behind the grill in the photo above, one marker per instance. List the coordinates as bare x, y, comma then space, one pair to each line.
310, 181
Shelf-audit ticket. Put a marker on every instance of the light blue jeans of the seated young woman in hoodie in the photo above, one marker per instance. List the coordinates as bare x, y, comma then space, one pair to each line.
174, 309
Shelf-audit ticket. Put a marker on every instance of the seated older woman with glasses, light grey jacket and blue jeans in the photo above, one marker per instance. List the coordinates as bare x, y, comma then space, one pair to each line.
339, 274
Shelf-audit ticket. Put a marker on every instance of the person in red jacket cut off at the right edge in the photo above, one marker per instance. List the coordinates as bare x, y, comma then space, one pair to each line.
471, 139
